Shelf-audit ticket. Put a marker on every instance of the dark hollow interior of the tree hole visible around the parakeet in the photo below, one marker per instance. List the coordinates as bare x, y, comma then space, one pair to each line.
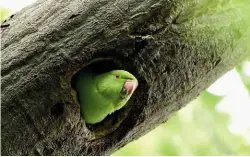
113, 121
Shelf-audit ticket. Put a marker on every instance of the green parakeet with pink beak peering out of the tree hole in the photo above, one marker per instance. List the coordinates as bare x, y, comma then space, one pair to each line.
101, 94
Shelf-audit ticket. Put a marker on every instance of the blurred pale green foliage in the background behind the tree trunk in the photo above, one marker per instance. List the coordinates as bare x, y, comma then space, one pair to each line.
198, 129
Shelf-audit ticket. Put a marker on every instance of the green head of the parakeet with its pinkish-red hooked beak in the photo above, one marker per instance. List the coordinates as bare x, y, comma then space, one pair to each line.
116, 86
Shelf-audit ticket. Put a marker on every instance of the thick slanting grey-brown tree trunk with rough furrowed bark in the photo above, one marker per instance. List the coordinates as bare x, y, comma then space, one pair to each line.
45, 44
